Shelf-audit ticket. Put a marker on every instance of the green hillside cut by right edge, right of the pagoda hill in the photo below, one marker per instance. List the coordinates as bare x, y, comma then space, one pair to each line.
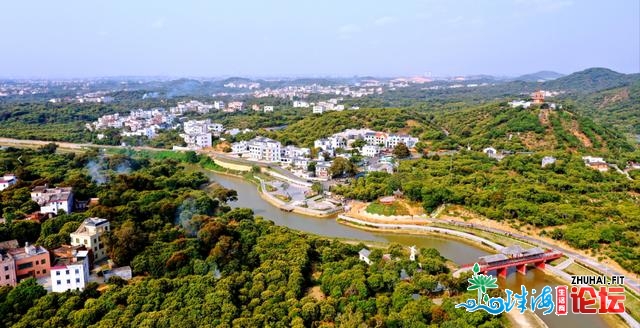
619, 108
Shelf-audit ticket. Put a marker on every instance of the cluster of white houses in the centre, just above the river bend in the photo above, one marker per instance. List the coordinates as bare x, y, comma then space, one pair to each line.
299, 159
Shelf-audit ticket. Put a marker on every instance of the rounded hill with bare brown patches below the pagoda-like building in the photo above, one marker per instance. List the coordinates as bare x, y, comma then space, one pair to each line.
529, 129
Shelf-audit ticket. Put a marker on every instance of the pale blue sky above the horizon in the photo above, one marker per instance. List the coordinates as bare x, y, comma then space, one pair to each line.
79, 38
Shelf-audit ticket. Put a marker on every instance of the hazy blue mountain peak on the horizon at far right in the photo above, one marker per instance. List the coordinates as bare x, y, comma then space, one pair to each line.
591, 80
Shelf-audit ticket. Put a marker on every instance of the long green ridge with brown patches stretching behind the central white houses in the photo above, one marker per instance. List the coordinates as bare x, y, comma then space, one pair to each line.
494, 125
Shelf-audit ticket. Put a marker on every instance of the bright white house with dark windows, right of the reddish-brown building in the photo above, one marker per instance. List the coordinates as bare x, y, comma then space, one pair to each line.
70, 273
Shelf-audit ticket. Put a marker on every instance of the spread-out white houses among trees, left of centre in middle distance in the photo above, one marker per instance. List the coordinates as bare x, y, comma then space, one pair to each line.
138, 123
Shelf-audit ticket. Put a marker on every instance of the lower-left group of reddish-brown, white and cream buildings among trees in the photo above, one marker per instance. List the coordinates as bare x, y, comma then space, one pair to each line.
64, 268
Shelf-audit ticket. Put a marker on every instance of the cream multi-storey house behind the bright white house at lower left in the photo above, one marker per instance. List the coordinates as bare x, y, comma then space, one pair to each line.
89, 234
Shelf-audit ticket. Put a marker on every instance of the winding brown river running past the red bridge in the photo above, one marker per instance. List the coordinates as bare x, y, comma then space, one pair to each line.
454, 250
